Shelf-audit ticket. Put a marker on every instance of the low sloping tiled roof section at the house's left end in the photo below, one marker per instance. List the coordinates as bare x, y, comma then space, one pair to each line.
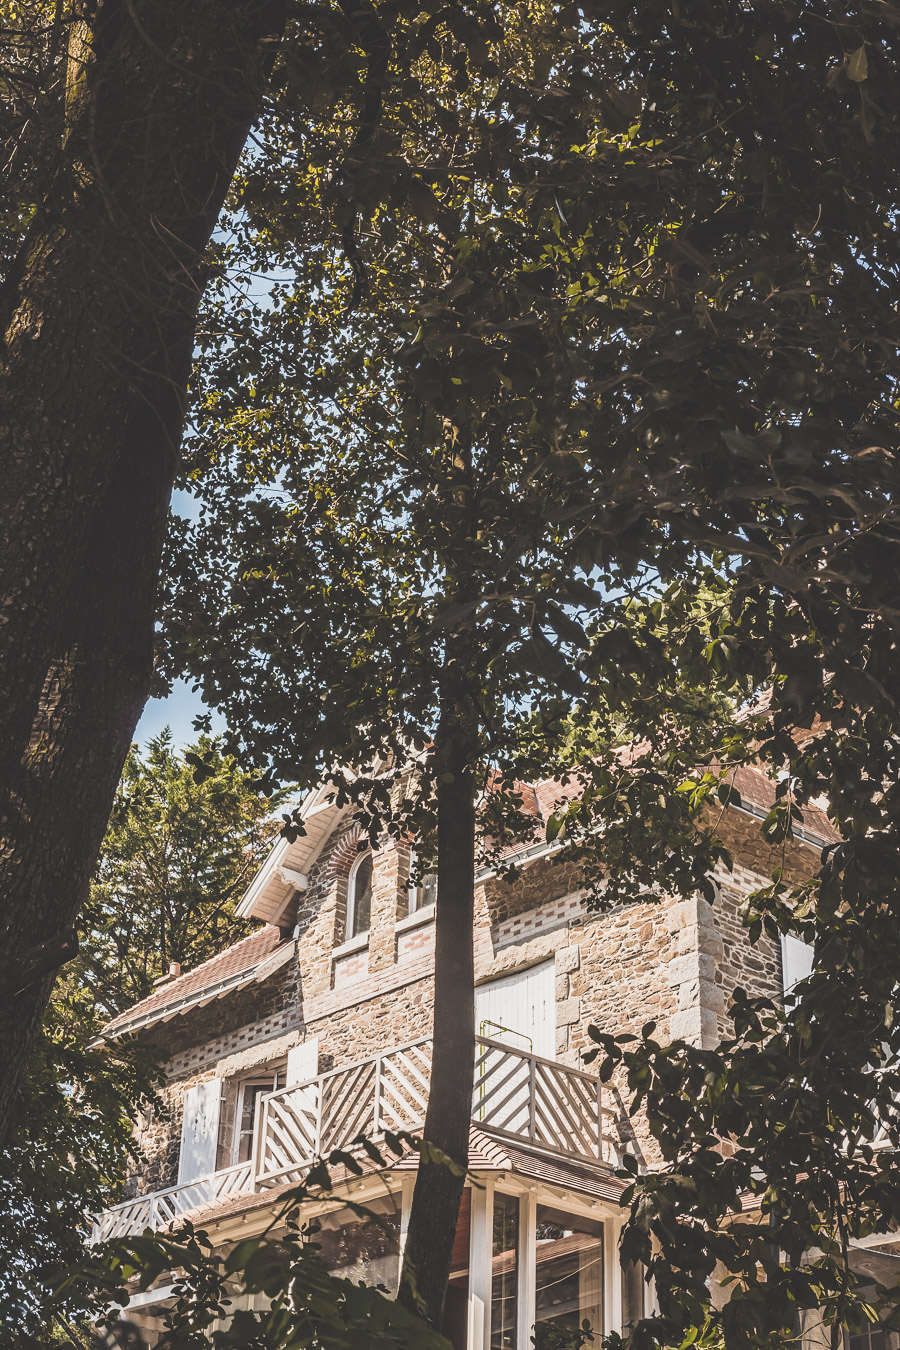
256, 958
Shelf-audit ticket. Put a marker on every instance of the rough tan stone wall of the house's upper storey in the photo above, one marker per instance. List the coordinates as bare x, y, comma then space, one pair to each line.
673, 962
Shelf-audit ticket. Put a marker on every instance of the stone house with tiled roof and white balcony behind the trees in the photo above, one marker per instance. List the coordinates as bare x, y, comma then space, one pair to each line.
316, 1028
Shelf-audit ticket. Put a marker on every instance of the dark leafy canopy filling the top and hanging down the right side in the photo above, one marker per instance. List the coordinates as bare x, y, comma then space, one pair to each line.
574, 318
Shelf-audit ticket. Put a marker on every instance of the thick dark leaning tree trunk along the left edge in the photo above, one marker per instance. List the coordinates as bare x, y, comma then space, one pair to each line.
99, 317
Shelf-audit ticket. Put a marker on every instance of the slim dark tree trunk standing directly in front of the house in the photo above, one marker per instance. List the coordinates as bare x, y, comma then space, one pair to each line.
437, 1199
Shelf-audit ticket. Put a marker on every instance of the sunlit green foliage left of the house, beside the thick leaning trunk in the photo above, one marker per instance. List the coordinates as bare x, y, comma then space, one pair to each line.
187, 834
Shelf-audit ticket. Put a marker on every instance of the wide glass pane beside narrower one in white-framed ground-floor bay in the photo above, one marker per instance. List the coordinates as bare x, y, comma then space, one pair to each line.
570, 1278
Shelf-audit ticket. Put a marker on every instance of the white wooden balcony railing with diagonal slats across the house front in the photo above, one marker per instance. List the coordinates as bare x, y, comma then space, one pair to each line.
517, 1097
